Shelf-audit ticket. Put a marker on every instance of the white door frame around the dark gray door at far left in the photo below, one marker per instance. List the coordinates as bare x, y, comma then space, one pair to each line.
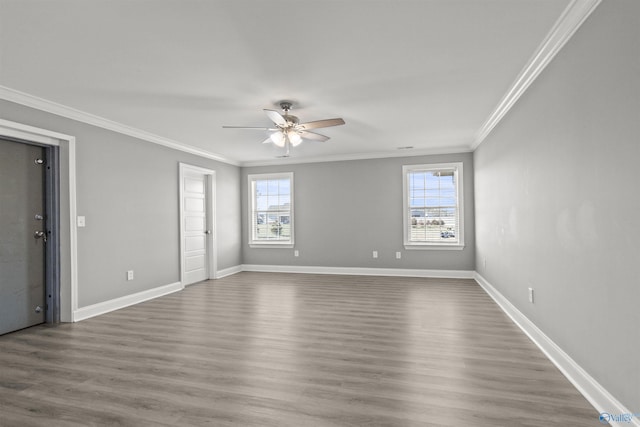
62, 279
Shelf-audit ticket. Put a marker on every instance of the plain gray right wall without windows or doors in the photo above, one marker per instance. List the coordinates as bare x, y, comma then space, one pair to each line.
557, 200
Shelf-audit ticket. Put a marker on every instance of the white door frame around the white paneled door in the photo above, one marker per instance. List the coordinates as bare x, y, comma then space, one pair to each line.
212, 246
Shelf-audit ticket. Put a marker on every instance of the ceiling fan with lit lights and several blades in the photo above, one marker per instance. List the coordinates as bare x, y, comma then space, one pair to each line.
288, 131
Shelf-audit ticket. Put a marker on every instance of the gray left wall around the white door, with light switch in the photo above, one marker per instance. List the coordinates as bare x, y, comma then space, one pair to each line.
128, 190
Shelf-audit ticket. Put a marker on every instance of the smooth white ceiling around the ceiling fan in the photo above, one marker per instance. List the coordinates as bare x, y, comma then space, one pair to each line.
423, 73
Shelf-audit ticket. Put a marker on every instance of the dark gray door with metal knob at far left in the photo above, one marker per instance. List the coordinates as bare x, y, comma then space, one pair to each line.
22, 236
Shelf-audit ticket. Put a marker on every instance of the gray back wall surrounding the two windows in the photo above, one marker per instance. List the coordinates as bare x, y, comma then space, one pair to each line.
345, 210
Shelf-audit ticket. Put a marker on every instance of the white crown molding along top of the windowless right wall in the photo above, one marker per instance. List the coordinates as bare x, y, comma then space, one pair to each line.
571, 19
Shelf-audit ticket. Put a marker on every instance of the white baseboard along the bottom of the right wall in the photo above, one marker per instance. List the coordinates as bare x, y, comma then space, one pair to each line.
598, 396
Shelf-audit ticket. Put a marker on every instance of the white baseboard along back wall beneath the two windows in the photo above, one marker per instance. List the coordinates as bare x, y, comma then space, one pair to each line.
358, 271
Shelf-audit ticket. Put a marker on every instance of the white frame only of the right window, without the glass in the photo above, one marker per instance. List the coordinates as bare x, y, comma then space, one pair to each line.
406, 209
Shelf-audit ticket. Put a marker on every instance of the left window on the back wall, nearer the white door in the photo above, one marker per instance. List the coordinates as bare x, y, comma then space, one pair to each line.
271, 209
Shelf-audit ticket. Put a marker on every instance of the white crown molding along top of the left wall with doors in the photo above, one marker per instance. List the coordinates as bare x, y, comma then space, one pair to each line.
45, 105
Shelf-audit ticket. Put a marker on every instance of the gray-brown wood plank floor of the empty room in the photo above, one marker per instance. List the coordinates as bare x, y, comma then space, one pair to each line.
259, 349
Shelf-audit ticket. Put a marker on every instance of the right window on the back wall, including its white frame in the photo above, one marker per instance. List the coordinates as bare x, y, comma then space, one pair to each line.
433, 214
